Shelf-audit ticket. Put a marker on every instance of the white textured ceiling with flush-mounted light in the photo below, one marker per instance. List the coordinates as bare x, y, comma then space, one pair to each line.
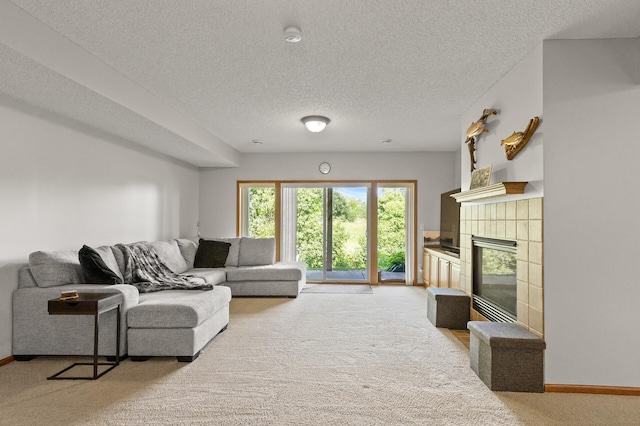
398, 69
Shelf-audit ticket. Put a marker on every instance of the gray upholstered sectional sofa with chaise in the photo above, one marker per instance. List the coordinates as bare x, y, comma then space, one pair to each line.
164, 323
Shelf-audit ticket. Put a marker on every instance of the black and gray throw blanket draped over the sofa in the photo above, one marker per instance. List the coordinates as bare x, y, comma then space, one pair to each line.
147, 272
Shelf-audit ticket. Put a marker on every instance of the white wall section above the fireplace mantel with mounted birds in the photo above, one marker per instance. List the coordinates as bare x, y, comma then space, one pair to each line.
518, 98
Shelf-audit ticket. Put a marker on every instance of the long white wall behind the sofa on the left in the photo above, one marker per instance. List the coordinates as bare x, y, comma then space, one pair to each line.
63, 185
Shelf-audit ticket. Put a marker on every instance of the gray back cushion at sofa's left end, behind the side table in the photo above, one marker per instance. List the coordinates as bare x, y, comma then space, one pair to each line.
53, 268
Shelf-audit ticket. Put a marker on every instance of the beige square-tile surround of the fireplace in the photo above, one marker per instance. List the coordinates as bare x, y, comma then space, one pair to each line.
519, 221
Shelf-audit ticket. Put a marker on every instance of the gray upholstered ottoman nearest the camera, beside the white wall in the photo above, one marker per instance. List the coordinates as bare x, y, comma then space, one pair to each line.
506, 357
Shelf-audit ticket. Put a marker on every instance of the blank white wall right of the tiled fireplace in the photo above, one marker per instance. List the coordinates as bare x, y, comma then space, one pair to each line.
591, 211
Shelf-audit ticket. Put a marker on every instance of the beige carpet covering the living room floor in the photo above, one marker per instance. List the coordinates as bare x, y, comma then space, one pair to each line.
316, 360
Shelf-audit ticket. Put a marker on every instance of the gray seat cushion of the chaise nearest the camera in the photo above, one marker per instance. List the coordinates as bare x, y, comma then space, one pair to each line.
177, 308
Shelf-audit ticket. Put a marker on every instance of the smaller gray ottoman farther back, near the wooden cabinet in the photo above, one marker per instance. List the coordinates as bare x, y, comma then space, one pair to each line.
448, 307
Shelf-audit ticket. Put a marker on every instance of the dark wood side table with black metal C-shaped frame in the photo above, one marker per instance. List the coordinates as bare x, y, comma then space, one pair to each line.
90, 304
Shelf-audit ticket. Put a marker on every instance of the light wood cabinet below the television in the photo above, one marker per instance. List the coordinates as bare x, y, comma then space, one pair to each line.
440, 269
